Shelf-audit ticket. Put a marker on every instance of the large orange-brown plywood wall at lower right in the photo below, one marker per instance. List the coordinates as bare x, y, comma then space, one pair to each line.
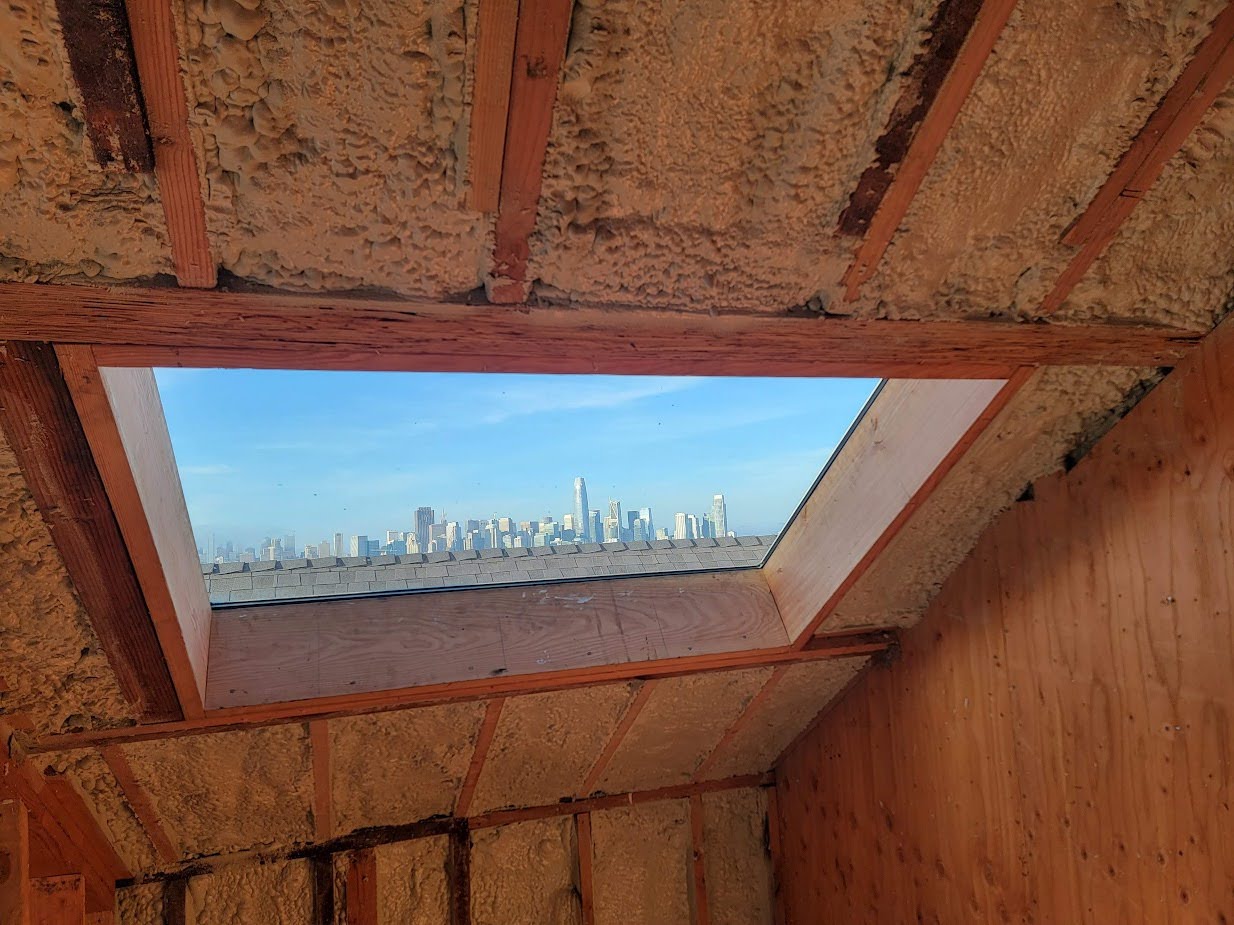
1056, 743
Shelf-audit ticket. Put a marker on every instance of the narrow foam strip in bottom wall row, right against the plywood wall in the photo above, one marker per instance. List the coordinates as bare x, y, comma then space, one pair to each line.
737, 863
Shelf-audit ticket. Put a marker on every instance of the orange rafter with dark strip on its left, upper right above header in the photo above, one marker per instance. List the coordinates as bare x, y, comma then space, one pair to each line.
927, 141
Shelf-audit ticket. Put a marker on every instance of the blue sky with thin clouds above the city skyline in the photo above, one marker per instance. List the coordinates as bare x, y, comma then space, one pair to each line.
268, 453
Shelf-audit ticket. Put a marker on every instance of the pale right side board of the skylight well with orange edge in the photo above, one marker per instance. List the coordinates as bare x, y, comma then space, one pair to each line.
893, 458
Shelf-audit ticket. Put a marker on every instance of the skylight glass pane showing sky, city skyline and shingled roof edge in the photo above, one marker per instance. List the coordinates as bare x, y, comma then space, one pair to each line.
308, 485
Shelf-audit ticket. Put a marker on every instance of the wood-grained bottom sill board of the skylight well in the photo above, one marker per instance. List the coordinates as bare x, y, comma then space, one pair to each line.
296, 652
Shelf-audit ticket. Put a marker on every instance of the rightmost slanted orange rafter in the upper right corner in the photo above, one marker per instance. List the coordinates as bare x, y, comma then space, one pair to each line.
1177, 117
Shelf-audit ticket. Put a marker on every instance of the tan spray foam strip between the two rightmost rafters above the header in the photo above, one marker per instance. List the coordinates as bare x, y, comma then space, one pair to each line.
1045, 126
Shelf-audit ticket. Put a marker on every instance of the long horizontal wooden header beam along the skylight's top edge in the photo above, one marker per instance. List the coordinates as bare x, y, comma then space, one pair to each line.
168, 327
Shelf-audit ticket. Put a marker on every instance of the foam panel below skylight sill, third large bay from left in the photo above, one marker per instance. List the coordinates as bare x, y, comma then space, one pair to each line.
546, 744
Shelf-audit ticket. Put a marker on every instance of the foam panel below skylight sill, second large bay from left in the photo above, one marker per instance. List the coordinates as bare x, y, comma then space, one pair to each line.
389, 769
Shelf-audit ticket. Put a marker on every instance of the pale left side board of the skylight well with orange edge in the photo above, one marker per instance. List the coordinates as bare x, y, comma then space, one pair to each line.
123, 419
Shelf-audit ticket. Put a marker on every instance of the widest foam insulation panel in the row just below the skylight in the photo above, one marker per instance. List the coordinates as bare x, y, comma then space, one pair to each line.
229, 791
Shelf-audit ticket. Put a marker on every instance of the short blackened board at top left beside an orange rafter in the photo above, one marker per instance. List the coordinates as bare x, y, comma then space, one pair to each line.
102, 59
